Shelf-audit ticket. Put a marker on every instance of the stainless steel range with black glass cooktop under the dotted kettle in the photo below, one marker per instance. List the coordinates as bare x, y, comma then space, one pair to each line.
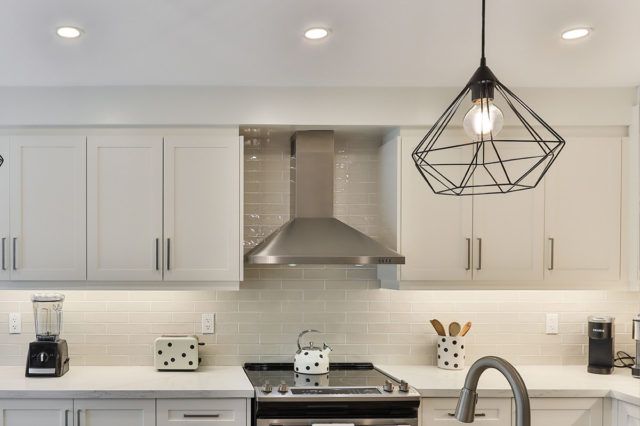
351, 393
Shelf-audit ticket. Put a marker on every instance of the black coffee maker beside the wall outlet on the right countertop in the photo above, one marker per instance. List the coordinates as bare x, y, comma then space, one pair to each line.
601, 344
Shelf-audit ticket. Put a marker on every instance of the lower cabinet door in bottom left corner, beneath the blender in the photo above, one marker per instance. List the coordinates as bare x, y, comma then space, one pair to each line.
36, 412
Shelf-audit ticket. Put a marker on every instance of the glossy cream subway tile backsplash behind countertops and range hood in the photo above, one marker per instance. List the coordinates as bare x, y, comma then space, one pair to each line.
361, 322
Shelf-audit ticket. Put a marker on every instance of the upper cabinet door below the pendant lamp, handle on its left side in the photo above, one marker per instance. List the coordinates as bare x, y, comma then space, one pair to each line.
508, 236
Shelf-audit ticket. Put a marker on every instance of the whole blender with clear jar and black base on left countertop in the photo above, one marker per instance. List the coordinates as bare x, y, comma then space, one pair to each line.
49, 355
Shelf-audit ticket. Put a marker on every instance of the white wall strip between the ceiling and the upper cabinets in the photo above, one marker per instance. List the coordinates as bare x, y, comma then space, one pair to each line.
59, 106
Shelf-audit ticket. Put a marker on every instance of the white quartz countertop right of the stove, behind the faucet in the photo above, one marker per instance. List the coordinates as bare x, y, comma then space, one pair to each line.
553, 381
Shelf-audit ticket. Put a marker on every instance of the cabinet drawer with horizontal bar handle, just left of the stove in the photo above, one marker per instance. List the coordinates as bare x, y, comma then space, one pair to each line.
202, 412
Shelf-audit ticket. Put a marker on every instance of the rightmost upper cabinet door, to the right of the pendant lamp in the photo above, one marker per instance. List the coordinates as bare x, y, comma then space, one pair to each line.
582, 211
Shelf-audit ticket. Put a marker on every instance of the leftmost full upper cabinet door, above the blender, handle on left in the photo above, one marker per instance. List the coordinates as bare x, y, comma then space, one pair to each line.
48, 207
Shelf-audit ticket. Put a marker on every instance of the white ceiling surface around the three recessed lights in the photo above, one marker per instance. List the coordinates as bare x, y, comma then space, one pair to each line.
373, 42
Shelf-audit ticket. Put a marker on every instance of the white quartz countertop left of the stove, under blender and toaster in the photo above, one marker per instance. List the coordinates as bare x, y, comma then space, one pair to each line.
128, 382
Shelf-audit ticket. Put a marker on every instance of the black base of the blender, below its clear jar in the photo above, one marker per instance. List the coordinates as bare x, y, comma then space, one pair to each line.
47, 358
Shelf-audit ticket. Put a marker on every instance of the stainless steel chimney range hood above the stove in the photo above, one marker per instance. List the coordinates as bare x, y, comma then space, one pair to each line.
313, 235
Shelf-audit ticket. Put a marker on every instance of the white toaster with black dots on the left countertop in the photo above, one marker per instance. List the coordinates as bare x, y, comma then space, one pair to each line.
173, 352
